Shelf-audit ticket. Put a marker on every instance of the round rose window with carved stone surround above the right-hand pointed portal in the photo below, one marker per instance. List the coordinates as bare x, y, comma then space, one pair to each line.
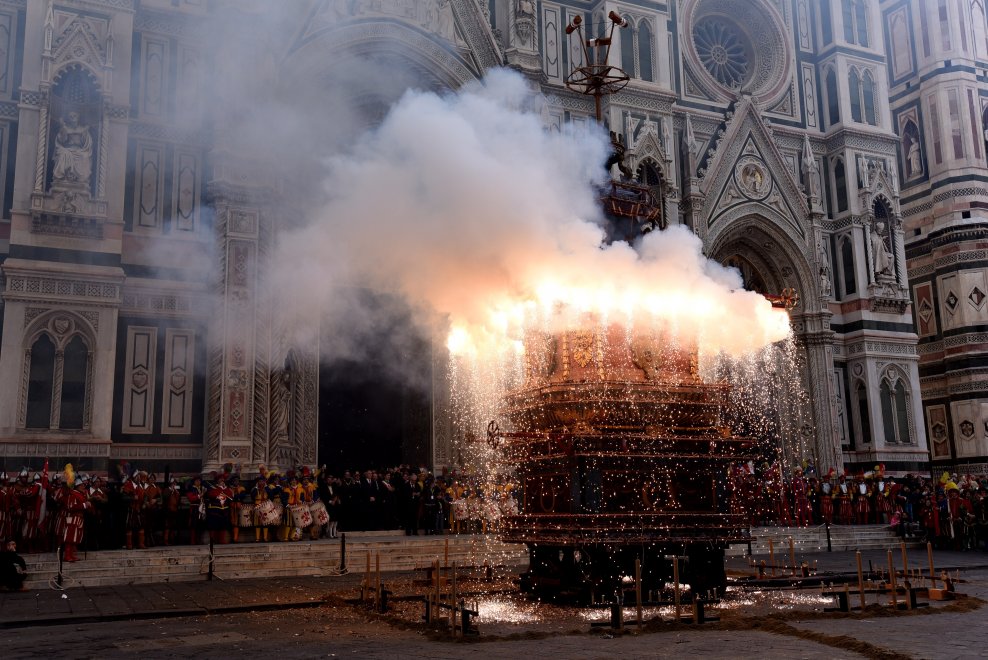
738, 46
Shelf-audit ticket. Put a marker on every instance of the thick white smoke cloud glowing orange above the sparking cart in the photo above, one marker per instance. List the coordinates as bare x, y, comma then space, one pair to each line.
465, 206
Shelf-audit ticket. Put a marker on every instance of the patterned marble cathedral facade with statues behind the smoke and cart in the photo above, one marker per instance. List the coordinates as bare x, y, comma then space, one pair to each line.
834, 147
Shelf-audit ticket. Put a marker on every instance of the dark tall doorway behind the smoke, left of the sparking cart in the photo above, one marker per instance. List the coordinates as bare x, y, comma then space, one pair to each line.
374, 386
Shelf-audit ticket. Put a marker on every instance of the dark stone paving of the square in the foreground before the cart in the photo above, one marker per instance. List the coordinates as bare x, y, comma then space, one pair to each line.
280, 616
